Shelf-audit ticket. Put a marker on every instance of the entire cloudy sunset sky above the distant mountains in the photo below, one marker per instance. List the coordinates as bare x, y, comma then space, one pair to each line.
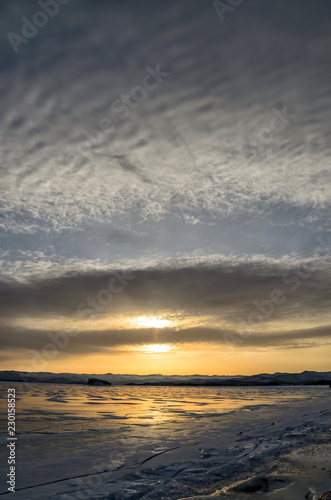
165, 186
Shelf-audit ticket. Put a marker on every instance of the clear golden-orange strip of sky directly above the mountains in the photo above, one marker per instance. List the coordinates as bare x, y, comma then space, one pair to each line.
207, 359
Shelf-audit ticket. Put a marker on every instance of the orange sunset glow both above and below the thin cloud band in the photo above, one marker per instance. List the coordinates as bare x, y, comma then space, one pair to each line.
159, 355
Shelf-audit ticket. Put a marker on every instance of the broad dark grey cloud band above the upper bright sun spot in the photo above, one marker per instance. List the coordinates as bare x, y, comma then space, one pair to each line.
226, 292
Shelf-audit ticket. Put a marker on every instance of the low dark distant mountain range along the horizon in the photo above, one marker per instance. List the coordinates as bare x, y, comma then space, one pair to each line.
263, 379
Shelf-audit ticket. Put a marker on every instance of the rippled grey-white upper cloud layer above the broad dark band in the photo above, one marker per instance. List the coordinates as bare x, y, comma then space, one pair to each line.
234, 141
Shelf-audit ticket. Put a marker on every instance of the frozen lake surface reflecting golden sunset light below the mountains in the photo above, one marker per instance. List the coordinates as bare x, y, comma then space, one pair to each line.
78, 441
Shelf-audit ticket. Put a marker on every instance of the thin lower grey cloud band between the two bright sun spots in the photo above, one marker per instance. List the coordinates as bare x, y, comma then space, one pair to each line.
109, 340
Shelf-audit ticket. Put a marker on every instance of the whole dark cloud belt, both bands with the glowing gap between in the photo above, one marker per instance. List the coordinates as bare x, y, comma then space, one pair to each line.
243, 305
